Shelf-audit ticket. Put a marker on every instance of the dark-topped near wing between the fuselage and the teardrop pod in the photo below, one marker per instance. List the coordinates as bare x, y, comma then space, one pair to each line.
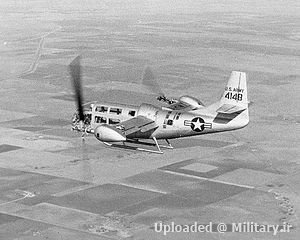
137, 124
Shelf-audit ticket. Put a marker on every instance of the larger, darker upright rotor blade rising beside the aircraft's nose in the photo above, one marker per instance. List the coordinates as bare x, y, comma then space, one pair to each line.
75, 71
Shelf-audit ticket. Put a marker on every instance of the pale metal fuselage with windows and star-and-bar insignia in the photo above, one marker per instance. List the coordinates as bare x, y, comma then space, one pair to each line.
170, 123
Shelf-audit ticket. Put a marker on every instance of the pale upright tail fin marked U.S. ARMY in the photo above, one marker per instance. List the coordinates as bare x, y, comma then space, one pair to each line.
234, 97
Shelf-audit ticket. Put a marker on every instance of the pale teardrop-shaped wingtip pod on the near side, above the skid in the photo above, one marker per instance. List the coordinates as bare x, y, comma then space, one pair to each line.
107, 133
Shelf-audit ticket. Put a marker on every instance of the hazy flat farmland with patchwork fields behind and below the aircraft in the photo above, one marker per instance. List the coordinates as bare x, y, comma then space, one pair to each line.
54, 185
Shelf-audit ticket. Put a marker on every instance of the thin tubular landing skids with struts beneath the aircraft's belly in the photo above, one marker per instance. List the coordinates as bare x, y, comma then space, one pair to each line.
135, 141
